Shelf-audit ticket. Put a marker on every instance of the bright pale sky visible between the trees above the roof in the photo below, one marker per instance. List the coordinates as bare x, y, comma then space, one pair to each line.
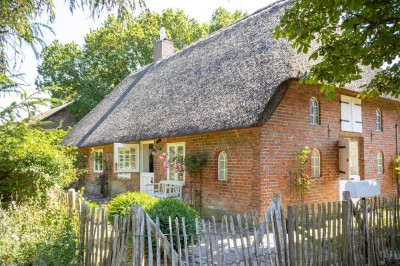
69, 27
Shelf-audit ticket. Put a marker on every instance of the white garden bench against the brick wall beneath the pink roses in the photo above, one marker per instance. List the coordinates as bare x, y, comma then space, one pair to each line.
165, 189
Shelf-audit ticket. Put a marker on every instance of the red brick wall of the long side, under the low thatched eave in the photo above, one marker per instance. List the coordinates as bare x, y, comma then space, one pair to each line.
238, 193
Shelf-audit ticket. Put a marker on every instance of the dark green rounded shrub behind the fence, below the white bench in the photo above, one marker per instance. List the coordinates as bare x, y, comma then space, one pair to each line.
174, 208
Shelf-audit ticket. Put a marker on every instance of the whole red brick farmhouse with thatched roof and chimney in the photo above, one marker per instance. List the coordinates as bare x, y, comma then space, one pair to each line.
235, 97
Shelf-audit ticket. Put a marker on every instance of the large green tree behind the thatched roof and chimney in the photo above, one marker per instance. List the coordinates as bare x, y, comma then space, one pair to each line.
110, 53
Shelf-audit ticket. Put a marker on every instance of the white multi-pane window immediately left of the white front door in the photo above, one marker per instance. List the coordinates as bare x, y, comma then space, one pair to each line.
126, 158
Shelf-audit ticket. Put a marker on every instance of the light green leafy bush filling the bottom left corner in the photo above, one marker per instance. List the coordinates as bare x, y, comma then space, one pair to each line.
33, 235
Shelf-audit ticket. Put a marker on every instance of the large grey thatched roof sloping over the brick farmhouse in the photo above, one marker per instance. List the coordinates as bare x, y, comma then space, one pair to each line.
231, 79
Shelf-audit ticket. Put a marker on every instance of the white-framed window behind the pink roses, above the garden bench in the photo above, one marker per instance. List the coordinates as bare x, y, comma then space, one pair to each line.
175, 150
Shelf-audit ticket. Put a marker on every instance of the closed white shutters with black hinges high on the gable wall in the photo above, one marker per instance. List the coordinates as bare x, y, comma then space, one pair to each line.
351, 115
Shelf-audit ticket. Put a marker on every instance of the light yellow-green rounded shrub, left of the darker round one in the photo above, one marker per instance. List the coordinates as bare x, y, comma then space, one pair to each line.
121, 204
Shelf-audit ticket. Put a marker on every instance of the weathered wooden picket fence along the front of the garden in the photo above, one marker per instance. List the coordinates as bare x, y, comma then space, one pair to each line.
333, 233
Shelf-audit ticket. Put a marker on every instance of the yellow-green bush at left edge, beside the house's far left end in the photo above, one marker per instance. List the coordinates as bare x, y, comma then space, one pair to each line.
32, 161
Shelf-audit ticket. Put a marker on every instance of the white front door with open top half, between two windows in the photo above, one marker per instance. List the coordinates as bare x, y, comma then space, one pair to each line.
147, 165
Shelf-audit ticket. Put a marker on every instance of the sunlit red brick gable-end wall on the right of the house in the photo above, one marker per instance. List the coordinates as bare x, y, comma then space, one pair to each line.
288, 130
